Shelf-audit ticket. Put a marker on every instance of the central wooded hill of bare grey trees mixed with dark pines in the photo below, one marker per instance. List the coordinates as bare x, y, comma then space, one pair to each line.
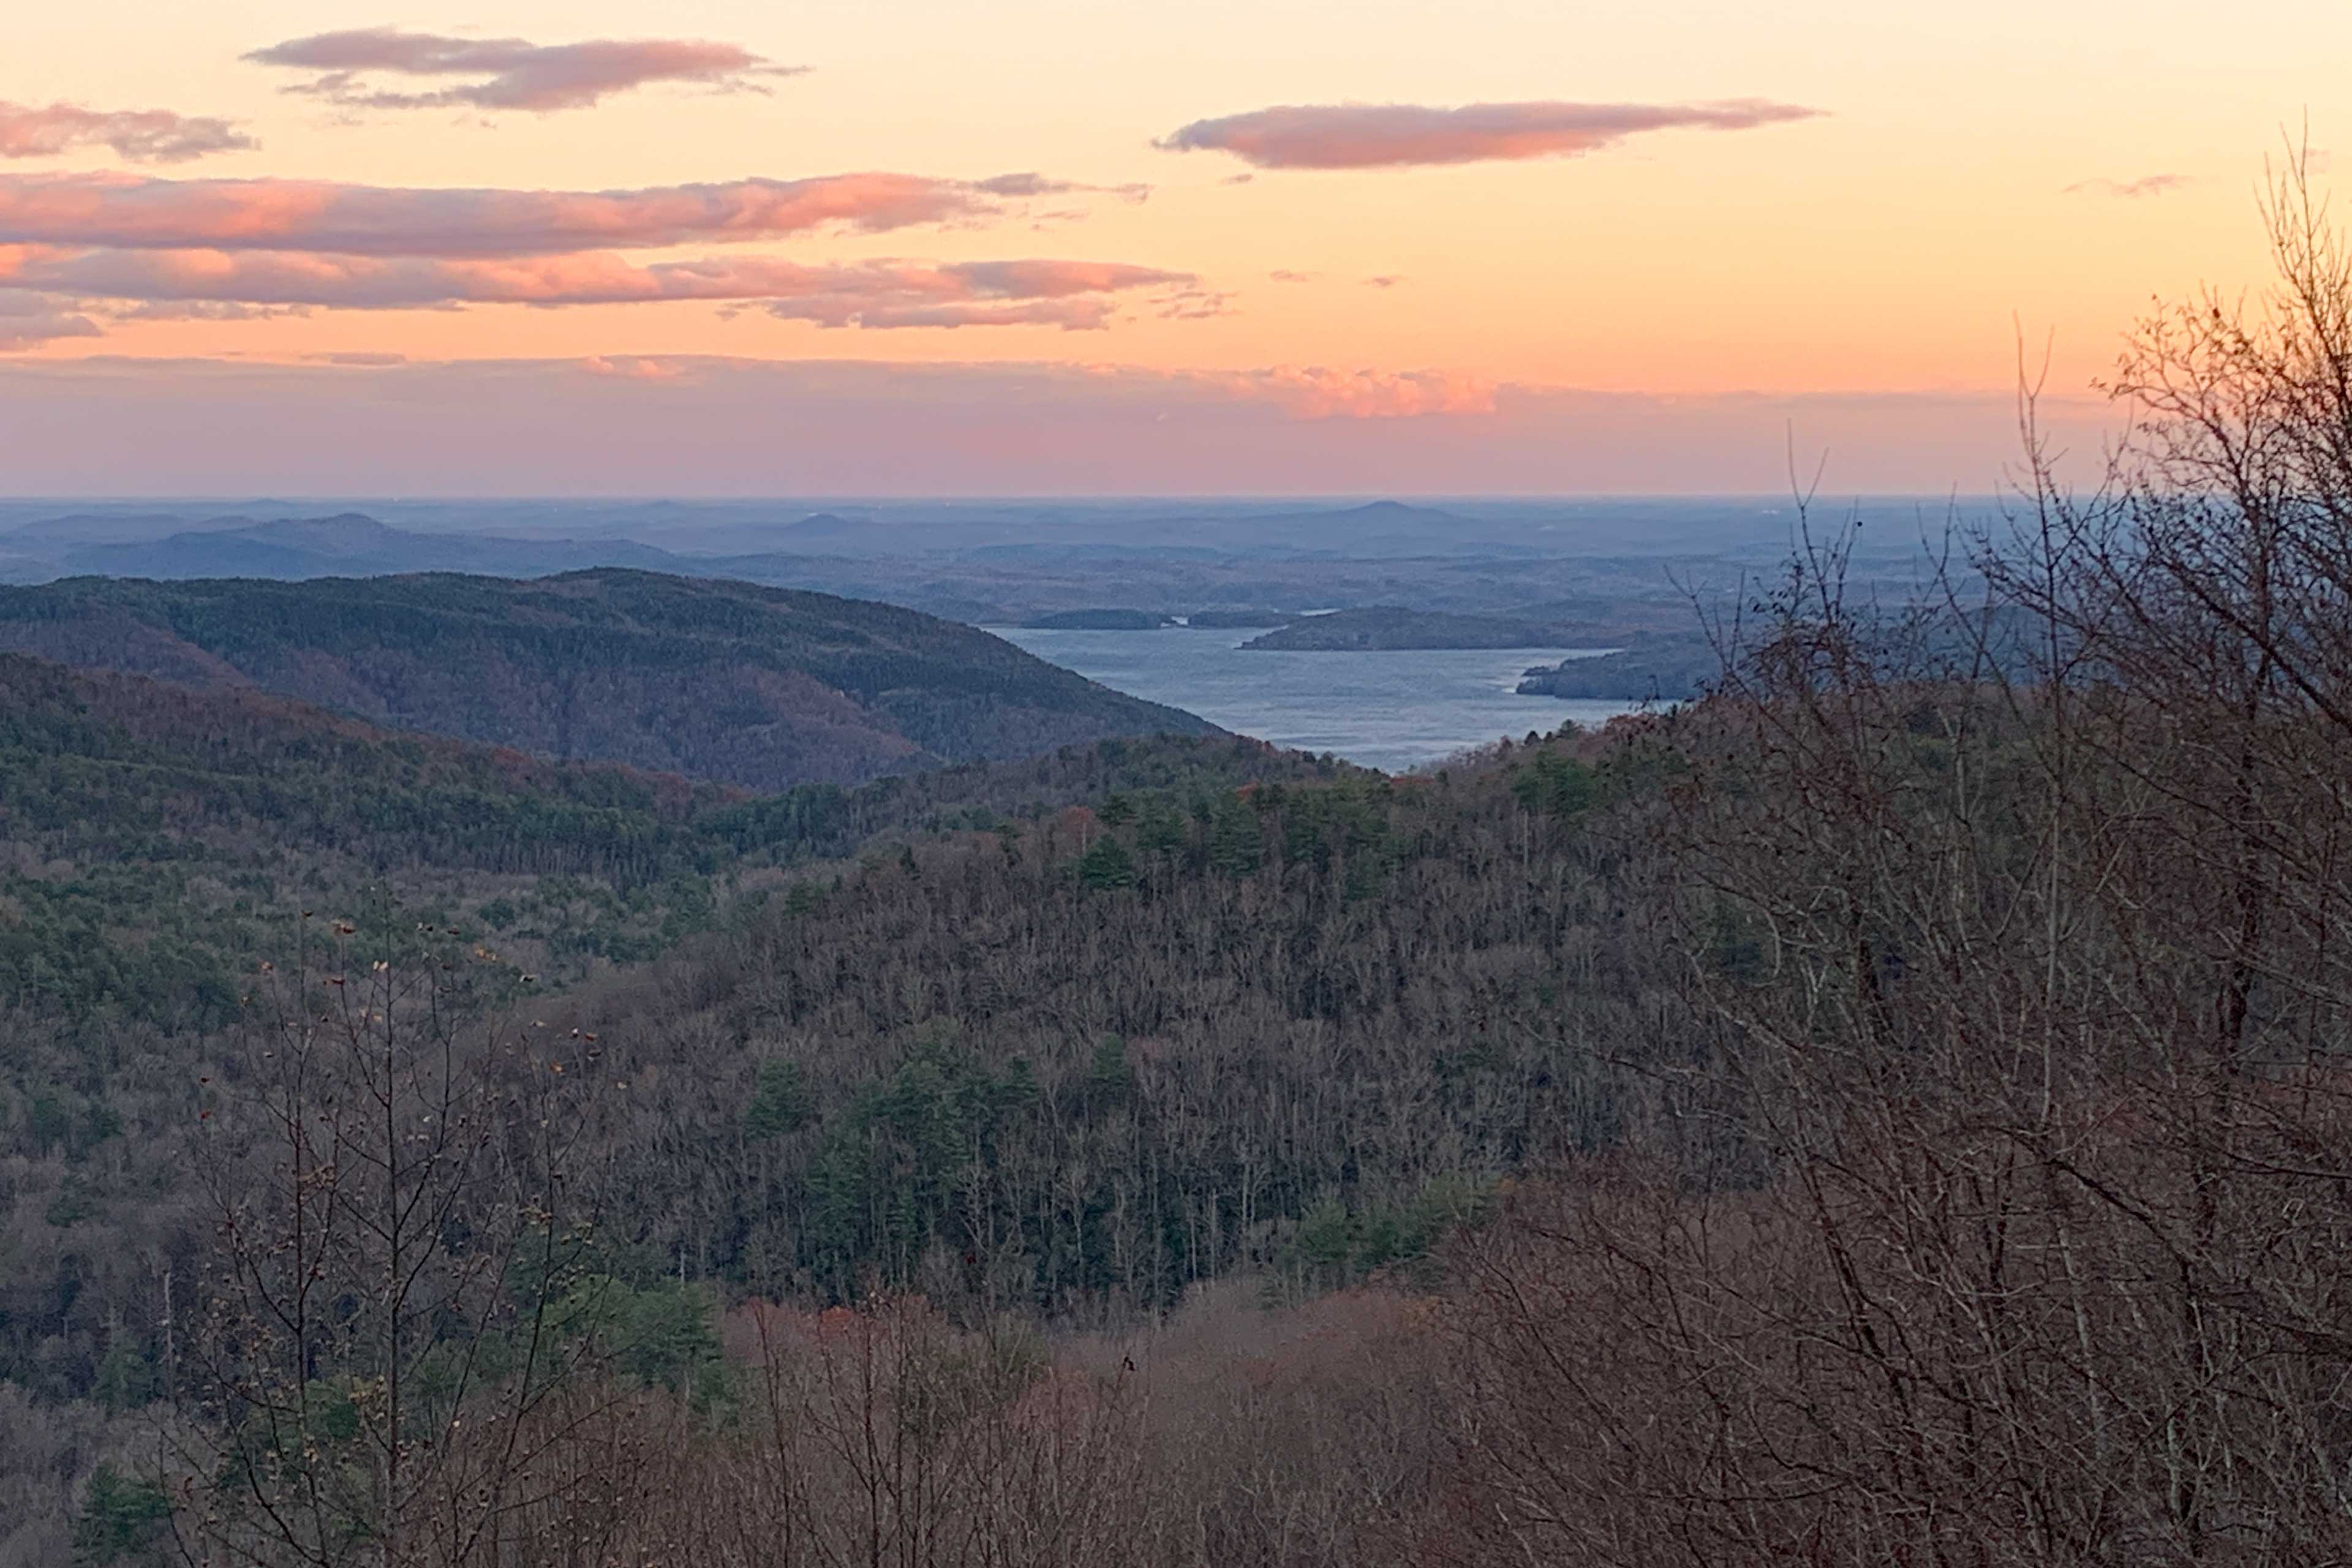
1182, 1033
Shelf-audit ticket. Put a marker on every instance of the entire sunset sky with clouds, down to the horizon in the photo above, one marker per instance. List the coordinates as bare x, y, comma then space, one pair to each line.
1102, 248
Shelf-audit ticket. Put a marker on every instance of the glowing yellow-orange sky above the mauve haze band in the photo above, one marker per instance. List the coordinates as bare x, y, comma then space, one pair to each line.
1956, 173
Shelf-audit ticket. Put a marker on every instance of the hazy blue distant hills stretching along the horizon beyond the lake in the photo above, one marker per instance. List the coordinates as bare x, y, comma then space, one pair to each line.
1622, 565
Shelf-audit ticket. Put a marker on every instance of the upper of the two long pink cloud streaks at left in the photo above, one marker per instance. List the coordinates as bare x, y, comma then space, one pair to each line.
288, 215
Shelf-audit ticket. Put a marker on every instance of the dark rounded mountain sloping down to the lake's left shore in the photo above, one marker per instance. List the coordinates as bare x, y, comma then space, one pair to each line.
759, 688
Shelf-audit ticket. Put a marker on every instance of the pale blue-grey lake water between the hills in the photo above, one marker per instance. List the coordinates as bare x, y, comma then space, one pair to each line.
1382, 709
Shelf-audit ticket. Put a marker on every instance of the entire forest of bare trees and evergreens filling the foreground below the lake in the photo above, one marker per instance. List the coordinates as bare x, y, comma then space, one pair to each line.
1890, 1111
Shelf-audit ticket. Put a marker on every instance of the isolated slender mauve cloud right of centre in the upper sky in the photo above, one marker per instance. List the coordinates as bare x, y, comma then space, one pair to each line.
1398, 135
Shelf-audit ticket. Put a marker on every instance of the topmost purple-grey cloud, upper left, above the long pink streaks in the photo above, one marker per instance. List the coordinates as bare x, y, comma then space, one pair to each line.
509, 72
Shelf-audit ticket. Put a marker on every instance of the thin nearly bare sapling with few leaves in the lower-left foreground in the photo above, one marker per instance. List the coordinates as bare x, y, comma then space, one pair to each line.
403, 1282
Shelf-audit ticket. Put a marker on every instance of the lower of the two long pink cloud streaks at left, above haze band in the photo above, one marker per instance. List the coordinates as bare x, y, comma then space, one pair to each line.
1071, 295
